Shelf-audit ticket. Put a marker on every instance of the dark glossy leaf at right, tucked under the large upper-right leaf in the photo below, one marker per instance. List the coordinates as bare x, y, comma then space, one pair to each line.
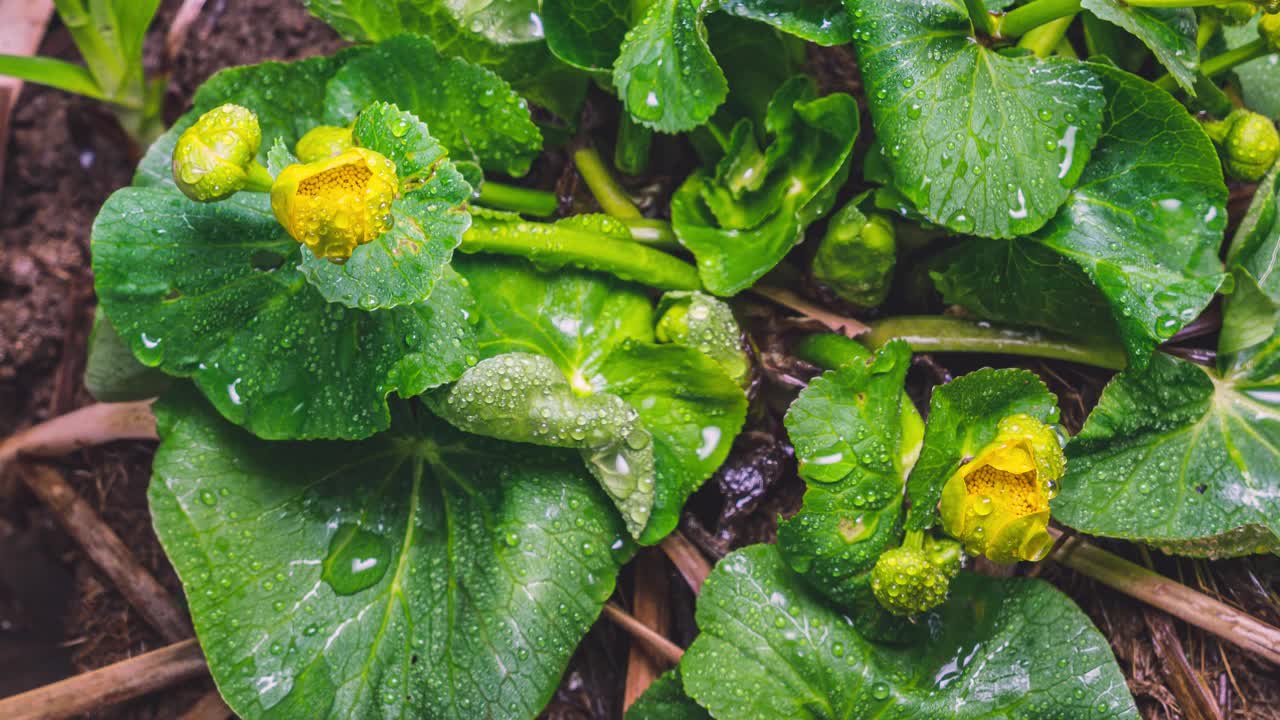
1148, 218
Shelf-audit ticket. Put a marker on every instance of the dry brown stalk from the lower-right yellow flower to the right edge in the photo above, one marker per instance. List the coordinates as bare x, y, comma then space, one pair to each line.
1173, 598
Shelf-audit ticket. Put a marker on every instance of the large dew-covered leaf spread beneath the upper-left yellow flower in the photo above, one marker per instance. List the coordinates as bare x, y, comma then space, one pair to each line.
209, 291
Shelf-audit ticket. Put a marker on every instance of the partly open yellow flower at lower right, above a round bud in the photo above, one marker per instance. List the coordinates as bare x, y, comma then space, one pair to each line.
998, 504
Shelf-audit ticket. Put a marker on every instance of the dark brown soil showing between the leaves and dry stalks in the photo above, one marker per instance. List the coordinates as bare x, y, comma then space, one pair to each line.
58, 616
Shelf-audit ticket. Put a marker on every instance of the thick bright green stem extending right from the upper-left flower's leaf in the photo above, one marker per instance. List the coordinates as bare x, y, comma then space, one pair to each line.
557, 247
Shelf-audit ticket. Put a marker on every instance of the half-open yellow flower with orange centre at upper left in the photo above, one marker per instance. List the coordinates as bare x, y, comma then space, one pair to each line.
337, 204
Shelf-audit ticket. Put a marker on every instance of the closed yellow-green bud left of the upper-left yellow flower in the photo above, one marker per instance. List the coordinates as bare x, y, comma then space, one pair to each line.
216, 158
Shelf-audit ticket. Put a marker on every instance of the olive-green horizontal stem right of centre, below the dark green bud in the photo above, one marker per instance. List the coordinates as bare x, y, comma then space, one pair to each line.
936, 334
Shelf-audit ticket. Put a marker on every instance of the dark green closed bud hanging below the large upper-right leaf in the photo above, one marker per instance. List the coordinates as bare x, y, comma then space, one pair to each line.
857, 256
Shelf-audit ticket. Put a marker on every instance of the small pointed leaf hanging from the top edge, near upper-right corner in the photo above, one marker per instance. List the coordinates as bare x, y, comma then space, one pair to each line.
1171, 34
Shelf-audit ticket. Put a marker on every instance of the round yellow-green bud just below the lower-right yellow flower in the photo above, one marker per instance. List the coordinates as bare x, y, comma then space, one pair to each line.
916, 577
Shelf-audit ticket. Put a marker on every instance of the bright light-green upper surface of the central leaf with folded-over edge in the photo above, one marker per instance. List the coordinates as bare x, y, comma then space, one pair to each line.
600, 334
